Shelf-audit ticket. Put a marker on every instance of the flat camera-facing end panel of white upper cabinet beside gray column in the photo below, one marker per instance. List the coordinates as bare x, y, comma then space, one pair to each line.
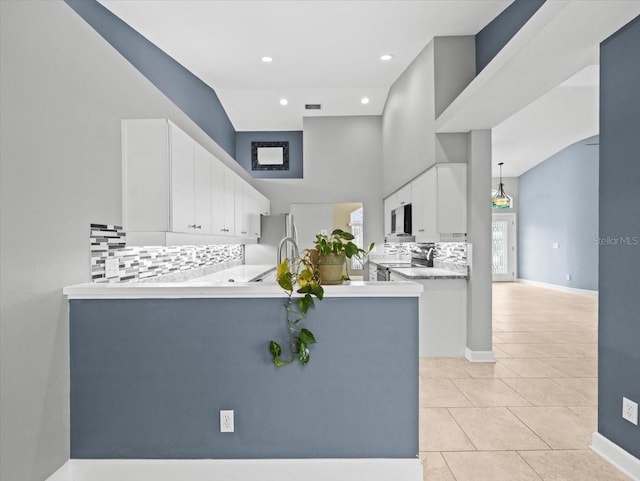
452, 198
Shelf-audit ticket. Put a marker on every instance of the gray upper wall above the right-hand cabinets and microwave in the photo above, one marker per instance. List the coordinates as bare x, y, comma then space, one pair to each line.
428, 85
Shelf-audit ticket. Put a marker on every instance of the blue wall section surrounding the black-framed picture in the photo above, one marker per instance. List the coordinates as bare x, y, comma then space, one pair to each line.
243, 153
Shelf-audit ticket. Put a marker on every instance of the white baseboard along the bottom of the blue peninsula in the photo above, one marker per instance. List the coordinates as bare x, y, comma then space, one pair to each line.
239, 470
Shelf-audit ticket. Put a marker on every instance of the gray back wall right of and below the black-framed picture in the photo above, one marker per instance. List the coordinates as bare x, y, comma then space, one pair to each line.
342, 163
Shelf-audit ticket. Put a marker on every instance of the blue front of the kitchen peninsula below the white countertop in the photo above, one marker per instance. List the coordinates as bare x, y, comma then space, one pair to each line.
149, 377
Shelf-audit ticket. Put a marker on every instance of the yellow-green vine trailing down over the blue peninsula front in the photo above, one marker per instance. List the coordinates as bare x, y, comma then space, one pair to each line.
300, 272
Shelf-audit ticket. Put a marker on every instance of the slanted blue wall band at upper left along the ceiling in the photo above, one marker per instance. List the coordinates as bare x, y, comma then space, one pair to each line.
188, 92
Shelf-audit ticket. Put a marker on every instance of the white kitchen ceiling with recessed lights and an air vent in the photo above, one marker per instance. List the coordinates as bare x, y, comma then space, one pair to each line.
324, 52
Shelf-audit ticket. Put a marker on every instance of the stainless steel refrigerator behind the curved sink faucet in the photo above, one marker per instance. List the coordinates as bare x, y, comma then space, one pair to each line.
274, 228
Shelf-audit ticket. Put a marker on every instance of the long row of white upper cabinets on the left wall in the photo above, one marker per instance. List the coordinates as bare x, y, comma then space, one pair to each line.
171, 184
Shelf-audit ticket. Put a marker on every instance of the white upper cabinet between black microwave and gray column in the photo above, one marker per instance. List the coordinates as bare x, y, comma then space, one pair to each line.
439, 206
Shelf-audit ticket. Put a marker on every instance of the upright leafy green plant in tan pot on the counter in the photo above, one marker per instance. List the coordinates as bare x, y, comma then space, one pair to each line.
332, 253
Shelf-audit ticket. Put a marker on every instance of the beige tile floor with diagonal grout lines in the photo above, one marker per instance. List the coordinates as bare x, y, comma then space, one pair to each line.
529, 416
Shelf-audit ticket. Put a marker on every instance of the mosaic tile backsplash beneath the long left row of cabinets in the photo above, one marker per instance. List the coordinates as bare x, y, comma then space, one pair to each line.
150, 263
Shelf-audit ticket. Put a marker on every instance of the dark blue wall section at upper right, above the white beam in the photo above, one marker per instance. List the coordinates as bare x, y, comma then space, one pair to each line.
497, 33
